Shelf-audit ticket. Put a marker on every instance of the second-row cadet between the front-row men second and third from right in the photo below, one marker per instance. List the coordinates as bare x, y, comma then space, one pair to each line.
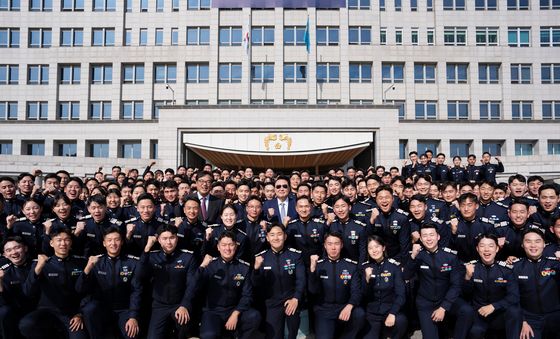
467, 227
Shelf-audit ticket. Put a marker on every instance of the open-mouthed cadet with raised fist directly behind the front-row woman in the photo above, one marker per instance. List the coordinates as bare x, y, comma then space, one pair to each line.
391, 224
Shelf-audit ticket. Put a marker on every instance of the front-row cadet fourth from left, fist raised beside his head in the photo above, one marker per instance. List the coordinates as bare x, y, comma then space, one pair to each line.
173, 274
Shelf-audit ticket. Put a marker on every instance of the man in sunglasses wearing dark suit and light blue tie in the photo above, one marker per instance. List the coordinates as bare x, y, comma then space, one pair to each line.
282, 207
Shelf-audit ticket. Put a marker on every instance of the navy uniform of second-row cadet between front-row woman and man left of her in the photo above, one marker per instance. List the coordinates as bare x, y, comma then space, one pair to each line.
354, 236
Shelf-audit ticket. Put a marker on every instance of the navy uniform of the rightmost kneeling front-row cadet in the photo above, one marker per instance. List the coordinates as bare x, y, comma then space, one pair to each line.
539, 288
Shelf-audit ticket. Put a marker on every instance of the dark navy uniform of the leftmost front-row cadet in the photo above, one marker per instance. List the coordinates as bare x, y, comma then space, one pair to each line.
13, 303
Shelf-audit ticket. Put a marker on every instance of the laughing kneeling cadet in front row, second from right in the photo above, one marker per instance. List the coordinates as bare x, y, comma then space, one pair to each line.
493, 292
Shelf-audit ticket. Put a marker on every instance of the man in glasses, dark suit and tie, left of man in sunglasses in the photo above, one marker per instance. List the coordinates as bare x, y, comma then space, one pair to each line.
210, 206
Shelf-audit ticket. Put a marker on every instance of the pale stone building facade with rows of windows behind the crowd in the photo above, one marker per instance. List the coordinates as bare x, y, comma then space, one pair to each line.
83, 82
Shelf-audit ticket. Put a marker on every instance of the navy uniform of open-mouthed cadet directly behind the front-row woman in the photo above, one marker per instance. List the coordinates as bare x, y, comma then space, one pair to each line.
394, 228
